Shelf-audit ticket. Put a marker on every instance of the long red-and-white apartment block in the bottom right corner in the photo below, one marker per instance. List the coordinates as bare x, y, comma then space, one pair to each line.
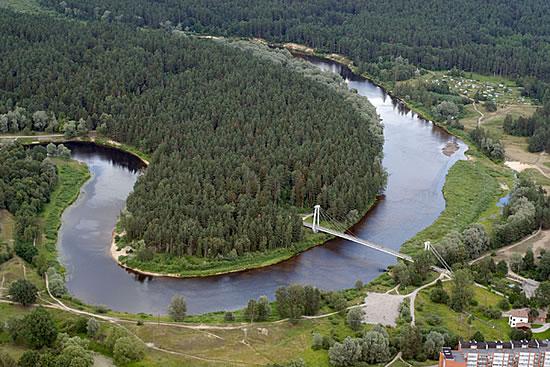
523, 353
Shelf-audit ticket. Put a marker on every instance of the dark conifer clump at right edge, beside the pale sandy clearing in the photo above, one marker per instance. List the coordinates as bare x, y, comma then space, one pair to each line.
536, 127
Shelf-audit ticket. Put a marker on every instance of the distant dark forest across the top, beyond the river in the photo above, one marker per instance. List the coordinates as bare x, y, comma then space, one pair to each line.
466, 34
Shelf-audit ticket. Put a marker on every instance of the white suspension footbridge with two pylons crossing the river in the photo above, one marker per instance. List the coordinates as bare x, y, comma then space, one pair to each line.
337, 229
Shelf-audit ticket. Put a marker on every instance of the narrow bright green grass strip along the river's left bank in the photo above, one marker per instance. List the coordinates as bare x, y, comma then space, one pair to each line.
71, 176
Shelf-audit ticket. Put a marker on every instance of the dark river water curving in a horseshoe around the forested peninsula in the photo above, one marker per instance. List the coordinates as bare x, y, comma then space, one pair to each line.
413, 200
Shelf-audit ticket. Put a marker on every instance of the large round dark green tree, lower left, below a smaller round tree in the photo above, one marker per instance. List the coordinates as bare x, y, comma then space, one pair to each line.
41, 330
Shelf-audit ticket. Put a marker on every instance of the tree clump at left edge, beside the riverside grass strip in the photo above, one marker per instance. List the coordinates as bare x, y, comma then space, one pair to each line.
26, 180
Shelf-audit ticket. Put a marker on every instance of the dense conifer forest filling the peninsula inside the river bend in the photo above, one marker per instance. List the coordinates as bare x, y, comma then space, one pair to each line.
242, 137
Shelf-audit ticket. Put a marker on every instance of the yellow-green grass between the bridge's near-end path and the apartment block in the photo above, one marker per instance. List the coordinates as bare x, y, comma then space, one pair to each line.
459, 323
